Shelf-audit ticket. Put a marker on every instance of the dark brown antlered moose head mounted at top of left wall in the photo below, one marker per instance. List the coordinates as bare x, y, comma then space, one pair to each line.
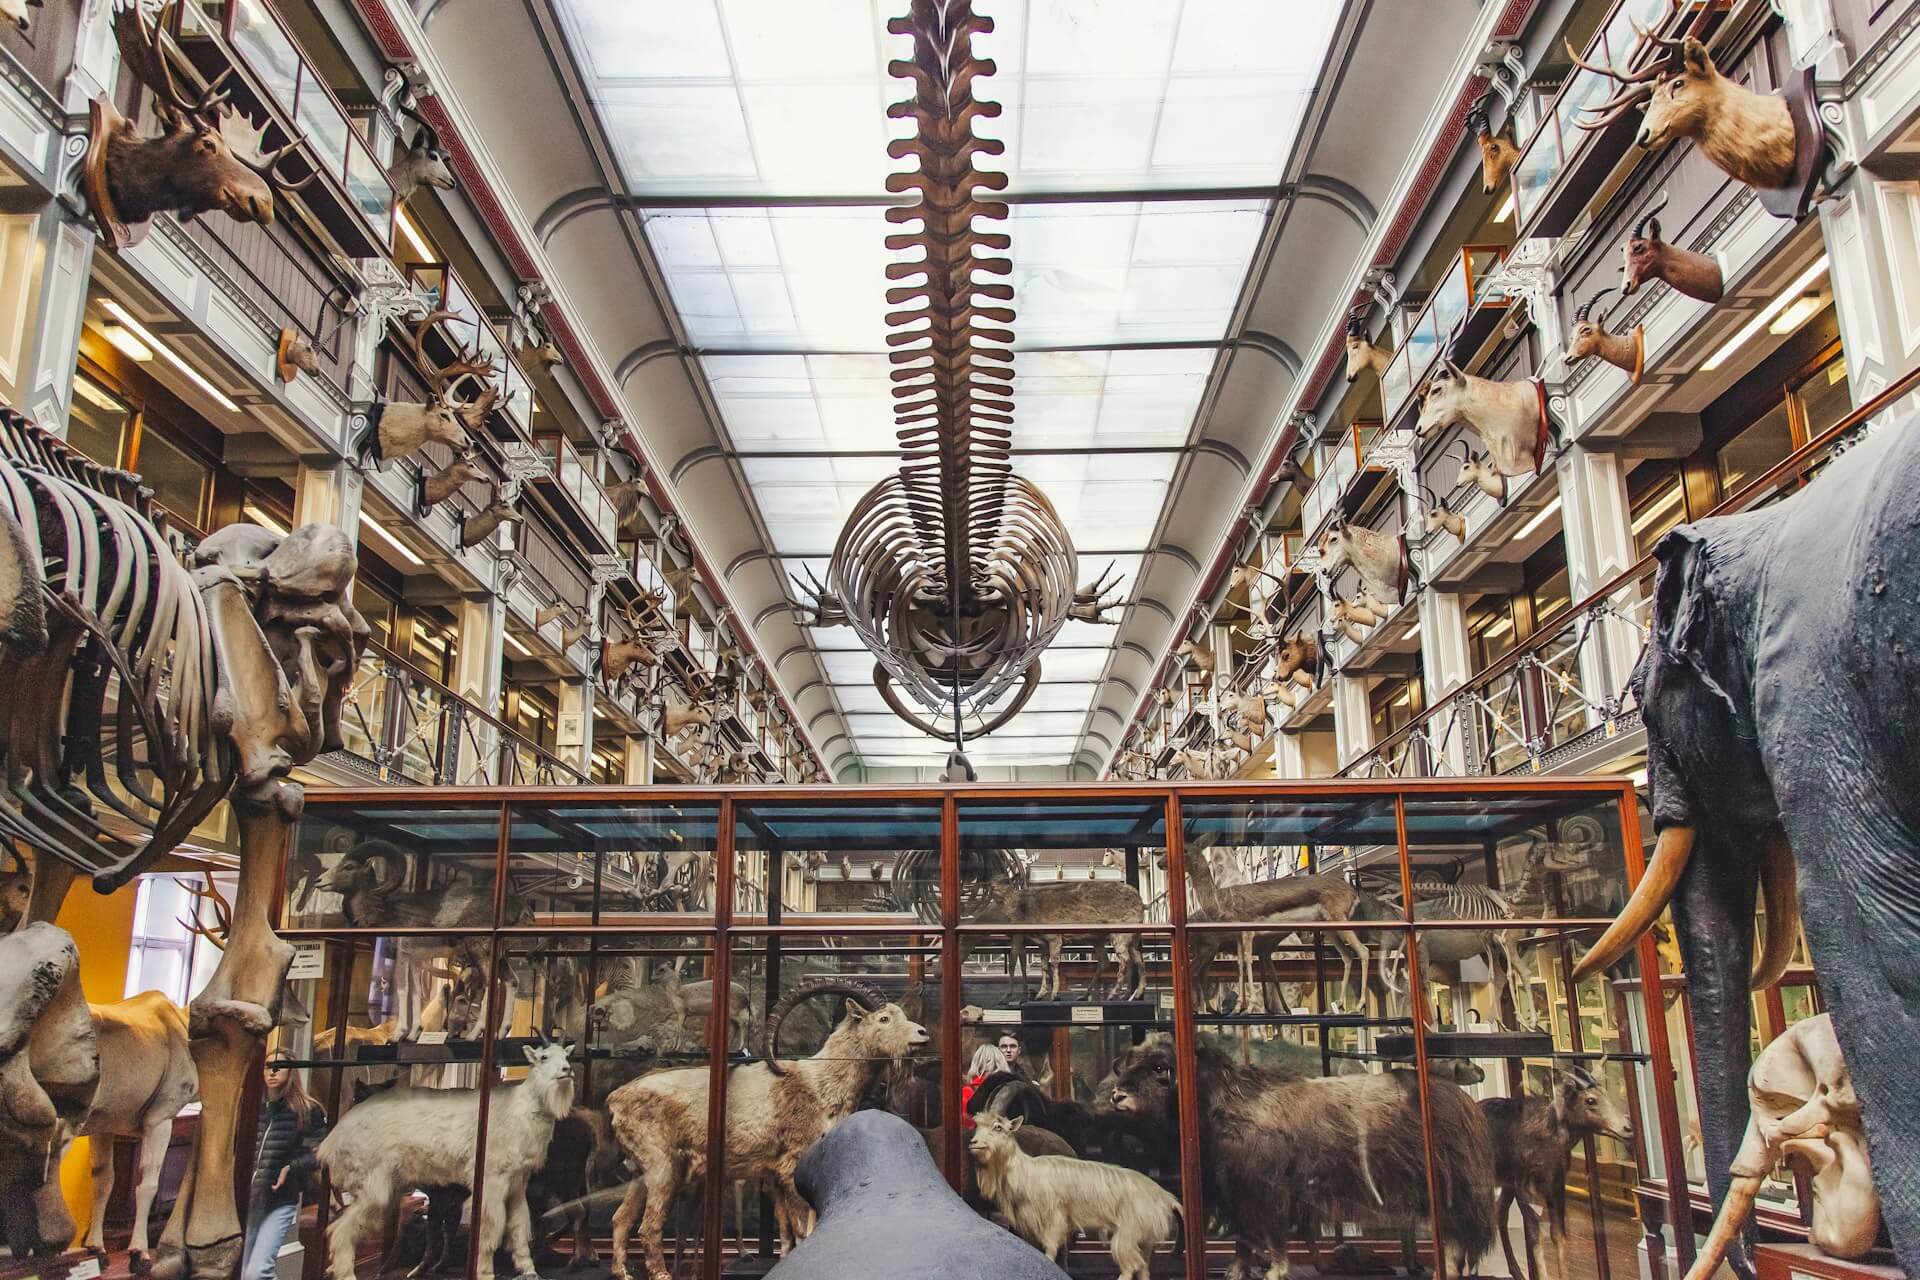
208, 154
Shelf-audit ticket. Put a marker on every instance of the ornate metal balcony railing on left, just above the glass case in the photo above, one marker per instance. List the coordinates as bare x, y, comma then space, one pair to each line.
404, 726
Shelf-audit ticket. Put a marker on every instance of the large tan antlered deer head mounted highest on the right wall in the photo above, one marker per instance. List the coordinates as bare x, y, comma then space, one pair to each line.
1746, 135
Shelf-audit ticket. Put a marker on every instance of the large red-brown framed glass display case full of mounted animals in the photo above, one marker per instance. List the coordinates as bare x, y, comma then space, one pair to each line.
1383, 968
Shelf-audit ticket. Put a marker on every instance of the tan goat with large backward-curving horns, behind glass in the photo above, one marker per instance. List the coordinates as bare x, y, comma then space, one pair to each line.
775, 1110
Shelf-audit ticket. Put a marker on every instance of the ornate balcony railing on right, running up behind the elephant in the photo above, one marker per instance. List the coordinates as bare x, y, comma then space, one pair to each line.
1568, 684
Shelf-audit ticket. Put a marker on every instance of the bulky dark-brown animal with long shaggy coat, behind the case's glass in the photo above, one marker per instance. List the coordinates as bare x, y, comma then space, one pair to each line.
1284, 1154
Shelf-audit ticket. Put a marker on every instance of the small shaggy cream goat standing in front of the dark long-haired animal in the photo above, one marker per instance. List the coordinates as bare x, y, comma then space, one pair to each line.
1047, 1198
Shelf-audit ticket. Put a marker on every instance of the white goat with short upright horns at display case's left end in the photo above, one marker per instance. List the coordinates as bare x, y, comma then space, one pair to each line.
408, 1137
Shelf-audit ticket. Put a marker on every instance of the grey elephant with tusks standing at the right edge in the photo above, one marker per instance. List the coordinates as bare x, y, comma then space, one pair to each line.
1781, 690
